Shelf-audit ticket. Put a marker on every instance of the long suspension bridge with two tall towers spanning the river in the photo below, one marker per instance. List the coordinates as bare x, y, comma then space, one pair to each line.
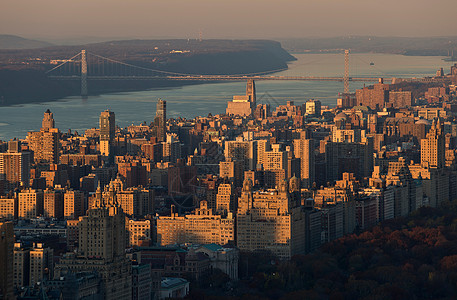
86, 66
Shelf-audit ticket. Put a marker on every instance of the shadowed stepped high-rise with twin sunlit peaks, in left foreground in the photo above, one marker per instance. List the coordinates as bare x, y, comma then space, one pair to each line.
102, 242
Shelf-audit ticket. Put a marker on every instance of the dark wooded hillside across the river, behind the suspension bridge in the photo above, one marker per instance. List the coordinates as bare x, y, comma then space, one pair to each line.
26, 68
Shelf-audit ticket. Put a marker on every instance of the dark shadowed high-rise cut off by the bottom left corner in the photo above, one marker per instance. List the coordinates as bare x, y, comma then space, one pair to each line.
6, 260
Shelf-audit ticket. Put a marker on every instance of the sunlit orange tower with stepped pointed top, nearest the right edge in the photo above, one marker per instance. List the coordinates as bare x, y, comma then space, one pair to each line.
433, 147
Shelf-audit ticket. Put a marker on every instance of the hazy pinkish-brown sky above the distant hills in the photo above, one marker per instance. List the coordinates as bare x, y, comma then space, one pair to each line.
227, 18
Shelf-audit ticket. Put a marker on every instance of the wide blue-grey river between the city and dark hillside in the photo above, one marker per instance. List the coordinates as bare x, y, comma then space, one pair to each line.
199, 100
